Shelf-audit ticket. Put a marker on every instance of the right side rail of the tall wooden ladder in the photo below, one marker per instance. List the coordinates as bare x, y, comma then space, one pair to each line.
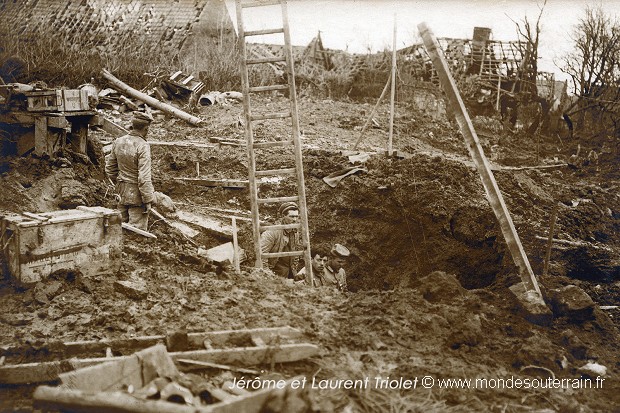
305, 232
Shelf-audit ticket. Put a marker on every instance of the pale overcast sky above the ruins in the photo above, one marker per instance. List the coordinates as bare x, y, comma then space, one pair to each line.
362, 25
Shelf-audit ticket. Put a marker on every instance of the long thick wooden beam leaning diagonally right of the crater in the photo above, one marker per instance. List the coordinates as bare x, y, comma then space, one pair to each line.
482, 164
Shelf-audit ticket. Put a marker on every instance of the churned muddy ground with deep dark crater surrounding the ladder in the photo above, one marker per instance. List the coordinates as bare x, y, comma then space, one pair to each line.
428, 274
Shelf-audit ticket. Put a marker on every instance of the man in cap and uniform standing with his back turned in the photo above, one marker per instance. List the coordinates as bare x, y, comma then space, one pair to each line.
129, 168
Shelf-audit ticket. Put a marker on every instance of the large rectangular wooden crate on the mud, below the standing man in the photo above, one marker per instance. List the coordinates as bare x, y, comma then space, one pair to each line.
88, 239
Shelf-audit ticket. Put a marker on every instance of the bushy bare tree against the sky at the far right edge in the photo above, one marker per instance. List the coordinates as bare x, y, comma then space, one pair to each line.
593, 69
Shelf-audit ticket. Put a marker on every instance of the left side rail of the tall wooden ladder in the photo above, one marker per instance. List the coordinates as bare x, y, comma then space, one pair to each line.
245, 85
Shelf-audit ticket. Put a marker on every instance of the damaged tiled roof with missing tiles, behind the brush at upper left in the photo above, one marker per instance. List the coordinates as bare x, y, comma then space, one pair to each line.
109, 24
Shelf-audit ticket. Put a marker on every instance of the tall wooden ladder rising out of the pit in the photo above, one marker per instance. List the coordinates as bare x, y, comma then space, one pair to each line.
293, 143
